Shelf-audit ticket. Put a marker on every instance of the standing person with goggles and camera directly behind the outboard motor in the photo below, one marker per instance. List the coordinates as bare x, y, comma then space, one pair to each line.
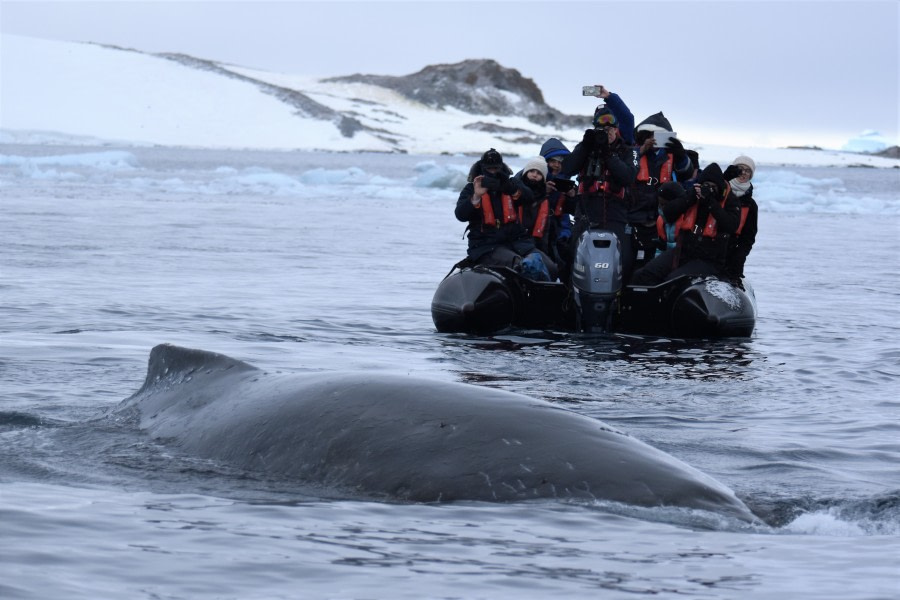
606, 166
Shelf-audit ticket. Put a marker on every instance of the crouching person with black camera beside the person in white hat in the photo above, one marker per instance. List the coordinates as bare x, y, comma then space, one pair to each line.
705, 218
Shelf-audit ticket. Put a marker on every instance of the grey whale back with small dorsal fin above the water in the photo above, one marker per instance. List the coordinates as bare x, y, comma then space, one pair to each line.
405, 438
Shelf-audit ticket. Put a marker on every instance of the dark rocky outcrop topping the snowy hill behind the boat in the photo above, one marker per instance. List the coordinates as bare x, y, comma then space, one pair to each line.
478, 87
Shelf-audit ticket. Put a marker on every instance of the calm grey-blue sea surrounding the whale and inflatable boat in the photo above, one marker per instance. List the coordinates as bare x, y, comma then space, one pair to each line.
326, 262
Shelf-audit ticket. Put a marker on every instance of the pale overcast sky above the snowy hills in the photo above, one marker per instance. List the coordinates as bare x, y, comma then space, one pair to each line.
746, 72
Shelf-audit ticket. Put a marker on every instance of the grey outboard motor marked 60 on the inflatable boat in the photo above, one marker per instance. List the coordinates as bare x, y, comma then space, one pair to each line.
596, 279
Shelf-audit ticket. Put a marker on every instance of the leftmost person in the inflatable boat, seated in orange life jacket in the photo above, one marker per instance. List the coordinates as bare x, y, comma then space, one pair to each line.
490, 202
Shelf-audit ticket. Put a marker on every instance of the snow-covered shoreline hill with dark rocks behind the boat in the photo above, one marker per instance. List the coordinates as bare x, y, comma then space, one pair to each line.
64, 92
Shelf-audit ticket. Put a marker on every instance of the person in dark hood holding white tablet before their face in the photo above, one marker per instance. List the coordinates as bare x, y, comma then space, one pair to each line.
661, 159
